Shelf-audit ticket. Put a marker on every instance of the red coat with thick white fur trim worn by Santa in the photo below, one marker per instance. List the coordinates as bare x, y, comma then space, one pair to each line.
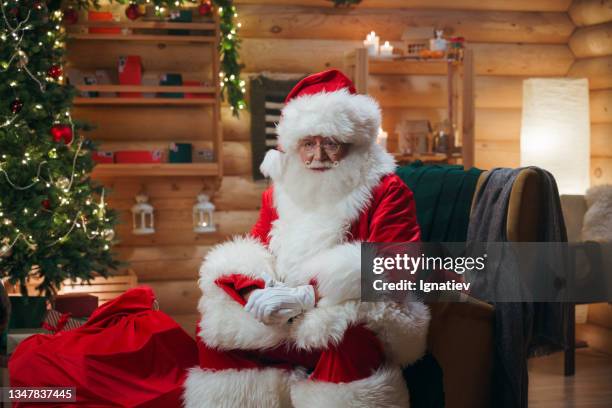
282, 244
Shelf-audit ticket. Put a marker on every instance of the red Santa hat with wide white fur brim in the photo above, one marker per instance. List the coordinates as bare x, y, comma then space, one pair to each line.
327, 104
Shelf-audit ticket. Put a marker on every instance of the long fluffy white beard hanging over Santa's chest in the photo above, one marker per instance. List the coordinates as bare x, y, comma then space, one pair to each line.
316, 209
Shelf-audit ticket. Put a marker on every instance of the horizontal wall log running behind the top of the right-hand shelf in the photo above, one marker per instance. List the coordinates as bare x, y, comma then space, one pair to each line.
305, 56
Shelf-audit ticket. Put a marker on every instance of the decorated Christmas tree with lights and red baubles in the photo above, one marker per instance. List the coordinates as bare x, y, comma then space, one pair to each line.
54, 222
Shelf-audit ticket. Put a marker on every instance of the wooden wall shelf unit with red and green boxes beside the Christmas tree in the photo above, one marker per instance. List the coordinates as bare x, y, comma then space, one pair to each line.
117, 103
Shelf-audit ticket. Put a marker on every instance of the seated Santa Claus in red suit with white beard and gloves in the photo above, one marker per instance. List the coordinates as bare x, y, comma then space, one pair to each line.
282, 324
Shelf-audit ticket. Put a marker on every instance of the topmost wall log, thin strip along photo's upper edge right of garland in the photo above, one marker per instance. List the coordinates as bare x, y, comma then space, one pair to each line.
515, 5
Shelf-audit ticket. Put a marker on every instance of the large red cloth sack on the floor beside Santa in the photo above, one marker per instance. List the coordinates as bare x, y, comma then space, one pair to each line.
126, 355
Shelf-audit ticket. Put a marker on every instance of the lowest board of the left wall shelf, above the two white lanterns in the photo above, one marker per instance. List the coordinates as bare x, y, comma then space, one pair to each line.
155, 170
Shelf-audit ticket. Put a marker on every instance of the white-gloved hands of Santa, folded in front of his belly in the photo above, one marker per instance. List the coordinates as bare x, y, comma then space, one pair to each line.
278, 304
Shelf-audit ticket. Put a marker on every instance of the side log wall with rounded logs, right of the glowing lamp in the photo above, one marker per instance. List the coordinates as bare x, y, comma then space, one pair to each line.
591, 44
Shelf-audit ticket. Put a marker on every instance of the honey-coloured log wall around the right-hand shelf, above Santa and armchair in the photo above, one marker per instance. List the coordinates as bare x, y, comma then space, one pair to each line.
511, 41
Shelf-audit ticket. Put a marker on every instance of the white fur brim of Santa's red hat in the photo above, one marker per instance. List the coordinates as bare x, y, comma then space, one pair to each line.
349, 118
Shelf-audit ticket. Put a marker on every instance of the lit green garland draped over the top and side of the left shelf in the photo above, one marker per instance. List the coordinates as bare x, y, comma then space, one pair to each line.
233, 88
